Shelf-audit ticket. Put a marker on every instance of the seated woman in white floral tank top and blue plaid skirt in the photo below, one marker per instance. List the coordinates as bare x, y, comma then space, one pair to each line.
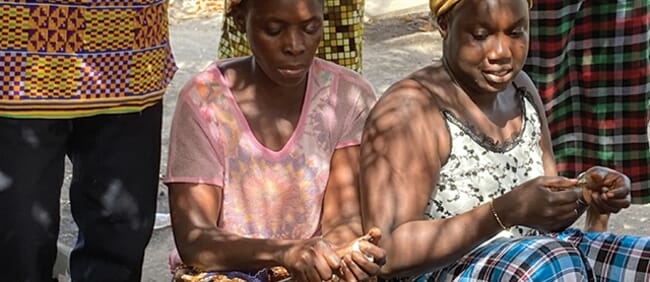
458, 169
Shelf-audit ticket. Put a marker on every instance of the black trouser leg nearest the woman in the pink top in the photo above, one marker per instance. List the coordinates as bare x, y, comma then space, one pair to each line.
113, 193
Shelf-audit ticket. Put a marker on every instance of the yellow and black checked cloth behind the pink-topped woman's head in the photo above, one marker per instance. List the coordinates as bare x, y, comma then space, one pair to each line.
342, 34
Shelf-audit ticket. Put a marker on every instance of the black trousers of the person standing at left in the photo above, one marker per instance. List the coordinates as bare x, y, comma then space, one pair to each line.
113, 192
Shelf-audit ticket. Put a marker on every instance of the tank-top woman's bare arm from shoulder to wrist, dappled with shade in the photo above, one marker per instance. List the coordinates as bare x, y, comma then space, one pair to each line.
405, 140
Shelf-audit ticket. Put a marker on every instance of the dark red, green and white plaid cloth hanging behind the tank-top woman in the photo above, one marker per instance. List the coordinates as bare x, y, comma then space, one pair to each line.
591, 63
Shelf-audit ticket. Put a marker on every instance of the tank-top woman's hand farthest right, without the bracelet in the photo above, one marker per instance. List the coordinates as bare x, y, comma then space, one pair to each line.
606, 189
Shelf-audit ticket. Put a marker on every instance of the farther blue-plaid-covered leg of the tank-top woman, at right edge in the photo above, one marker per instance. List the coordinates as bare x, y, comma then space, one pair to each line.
613, 257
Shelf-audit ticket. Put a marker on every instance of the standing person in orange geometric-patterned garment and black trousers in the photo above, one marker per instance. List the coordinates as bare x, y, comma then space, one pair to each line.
82, 79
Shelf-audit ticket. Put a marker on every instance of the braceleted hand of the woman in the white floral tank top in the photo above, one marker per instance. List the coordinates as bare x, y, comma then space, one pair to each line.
546, 203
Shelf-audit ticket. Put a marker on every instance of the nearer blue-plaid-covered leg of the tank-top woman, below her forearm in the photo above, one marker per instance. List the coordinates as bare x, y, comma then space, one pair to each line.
524, 259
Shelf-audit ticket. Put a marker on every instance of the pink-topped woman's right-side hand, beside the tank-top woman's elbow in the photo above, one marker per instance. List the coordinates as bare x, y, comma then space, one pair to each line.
362, 259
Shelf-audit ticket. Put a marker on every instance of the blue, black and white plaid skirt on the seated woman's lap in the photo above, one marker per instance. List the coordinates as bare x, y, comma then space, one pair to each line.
568, 256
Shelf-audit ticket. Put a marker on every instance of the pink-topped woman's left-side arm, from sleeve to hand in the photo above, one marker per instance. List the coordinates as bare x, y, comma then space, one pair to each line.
195, 210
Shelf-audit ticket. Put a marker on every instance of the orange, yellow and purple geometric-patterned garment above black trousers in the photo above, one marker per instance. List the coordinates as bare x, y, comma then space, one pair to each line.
66, 59
